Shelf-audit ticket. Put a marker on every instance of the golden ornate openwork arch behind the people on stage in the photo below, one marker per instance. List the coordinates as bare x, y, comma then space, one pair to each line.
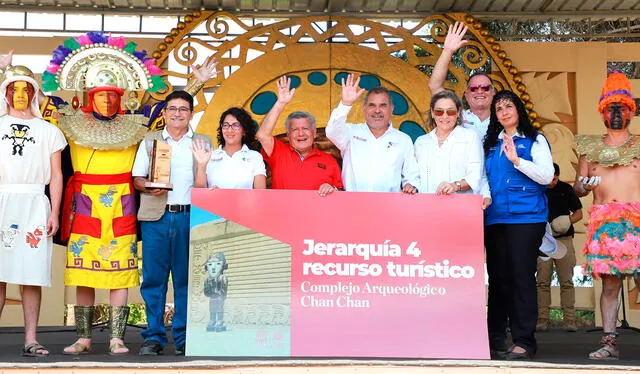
249, 77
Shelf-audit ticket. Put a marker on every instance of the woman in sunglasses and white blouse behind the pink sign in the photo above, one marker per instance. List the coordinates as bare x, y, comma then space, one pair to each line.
449, 157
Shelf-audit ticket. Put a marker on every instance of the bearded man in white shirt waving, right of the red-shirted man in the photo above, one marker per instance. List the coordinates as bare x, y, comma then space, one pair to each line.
376, 157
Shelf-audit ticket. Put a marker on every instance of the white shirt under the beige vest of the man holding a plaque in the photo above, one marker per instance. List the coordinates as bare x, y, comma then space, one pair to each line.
181, 166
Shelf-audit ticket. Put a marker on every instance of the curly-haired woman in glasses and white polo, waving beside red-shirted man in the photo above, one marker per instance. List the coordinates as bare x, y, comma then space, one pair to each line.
234, 164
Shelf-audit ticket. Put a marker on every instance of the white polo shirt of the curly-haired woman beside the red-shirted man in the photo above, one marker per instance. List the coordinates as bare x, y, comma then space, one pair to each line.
236, 171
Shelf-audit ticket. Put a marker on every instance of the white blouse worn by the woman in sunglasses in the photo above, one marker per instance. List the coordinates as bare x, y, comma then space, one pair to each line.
459, 157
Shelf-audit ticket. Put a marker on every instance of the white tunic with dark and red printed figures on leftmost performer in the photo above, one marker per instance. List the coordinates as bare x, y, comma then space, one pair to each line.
25, 168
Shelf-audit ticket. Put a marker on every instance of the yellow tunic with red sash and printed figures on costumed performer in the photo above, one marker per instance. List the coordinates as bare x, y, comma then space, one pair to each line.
102, 249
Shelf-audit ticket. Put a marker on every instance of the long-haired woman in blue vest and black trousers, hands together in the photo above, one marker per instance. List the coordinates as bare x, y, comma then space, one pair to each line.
519, 167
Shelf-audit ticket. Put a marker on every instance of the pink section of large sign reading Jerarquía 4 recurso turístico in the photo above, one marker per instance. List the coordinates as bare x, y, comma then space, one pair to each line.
373, 274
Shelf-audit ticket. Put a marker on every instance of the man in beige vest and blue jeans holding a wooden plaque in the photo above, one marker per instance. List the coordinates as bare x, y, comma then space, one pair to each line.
164, 218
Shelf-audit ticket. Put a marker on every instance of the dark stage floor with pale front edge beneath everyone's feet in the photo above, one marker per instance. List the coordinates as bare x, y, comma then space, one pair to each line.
559, 351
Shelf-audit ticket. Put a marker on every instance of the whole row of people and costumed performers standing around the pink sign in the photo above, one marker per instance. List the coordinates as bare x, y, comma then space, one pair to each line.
491, 149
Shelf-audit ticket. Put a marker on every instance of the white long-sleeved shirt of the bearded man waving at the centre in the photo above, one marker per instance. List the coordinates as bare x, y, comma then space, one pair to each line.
371, 164
